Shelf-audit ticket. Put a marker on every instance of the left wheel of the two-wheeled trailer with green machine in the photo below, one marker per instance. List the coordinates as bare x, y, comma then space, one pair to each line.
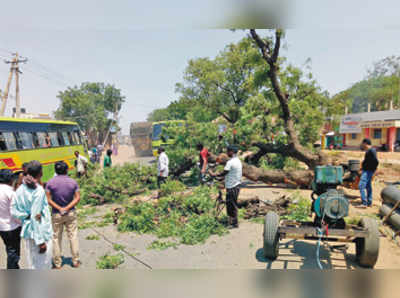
271, 236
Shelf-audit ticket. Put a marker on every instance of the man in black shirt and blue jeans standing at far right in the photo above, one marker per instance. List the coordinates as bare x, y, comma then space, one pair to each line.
369, 166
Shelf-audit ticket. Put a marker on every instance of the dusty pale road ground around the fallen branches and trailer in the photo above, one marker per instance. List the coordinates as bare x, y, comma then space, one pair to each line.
241, 248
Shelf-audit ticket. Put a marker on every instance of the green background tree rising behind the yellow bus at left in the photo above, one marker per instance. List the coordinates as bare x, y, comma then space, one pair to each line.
94, 106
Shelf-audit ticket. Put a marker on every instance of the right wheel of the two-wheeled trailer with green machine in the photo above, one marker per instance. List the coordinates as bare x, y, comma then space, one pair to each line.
367, 249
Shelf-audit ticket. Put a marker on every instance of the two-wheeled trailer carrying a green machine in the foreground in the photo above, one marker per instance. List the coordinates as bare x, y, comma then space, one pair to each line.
329, 209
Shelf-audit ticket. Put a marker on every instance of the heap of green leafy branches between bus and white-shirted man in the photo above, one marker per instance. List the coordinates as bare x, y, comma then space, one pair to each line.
117, 183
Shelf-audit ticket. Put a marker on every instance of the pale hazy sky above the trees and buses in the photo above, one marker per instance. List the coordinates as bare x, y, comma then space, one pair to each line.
143, 48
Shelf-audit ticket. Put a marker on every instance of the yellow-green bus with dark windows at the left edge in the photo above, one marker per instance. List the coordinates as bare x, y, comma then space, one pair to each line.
48, 141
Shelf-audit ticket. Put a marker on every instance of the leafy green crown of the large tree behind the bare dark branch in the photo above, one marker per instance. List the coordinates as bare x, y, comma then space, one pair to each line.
235, 85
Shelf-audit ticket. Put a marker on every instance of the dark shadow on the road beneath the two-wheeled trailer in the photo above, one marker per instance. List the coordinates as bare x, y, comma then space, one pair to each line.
295, 254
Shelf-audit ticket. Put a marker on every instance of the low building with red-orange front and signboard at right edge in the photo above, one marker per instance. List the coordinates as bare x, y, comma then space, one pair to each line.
383, 128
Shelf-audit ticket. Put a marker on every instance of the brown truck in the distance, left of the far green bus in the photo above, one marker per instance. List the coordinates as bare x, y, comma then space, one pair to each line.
141, 138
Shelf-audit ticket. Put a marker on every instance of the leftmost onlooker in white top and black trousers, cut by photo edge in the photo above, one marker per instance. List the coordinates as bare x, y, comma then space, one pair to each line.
10, 228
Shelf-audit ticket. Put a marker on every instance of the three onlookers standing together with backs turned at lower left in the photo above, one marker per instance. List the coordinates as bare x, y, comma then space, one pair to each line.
25, 216
